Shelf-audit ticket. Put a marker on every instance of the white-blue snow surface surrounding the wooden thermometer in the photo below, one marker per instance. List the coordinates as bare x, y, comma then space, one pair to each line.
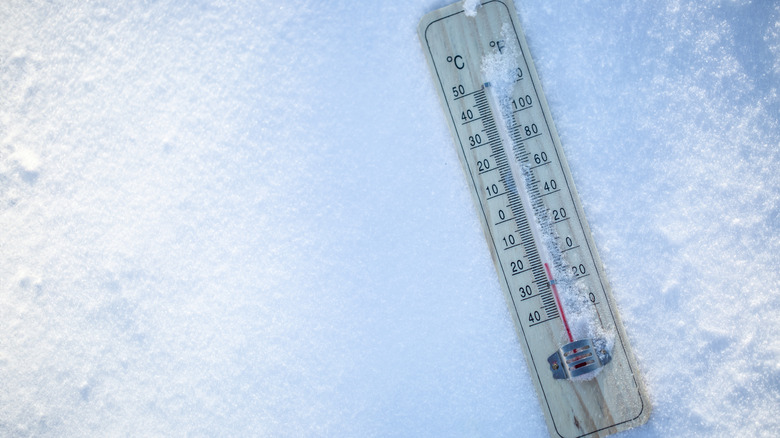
248, 218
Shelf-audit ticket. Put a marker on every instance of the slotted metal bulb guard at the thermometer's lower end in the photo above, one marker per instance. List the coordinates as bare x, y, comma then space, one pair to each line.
577, 359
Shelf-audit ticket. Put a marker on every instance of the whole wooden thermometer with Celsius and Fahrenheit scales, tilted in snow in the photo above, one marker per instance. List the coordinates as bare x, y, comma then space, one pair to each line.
577, 351
